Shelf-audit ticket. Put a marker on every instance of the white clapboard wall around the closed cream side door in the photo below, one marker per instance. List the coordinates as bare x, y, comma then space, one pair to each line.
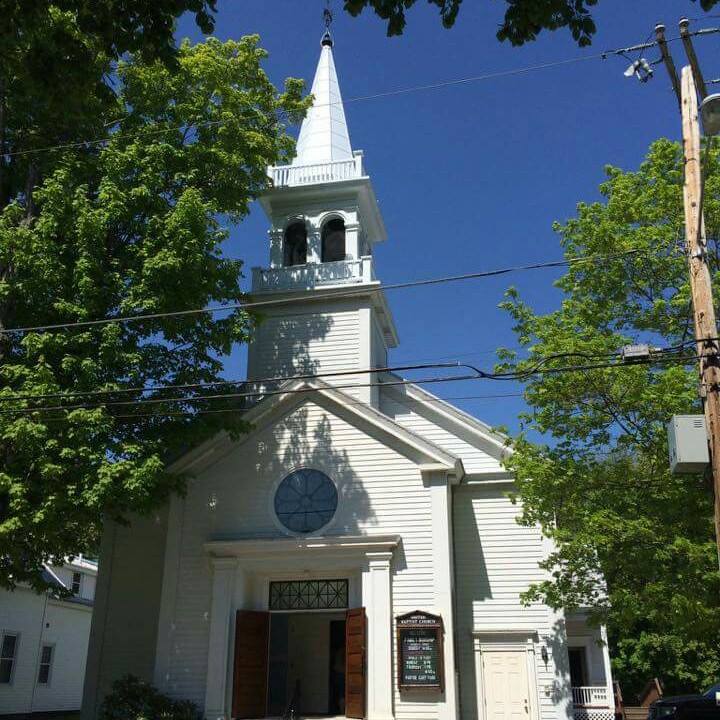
496, 560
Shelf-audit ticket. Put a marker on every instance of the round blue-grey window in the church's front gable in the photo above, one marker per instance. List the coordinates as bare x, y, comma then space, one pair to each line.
305, 501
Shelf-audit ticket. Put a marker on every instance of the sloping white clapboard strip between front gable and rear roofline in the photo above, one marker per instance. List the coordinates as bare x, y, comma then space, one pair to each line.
475, 460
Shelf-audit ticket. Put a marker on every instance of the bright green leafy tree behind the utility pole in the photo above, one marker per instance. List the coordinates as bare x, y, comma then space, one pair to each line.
599, 483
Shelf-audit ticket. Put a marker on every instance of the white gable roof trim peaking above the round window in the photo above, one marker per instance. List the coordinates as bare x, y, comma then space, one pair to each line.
428, 456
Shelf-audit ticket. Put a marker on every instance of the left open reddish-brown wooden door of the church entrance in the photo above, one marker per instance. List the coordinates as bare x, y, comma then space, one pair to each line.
252, 630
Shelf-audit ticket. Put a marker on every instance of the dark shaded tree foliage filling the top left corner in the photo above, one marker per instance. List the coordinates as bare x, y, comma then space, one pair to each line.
57, 62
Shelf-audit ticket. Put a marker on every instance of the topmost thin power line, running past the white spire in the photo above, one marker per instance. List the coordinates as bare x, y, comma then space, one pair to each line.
374, 96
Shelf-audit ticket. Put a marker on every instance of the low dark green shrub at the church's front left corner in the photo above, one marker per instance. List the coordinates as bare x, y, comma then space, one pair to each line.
134, 699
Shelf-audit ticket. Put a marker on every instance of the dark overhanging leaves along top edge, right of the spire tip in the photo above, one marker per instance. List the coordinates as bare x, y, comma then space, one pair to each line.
524, 19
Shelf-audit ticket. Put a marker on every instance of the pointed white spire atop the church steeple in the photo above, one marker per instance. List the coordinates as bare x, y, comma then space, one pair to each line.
323, 134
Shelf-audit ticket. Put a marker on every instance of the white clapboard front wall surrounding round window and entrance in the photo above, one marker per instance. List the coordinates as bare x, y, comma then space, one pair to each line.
381, 492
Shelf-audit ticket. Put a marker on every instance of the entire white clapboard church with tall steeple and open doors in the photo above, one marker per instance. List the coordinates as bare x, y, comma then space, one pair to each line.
356, 552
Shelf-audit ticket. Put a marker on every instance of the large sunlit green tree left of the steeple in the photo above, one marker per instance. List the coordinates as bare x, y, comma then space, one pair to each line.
127, 226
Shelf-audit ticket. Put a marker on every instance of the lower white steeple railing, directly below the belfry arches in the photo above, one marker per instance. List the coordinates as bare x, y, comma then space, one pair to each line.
313, 275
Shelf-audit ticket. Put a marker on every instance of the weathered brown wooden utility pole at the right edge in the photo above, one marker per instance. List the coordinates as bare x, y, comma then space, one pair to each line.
706, 331
